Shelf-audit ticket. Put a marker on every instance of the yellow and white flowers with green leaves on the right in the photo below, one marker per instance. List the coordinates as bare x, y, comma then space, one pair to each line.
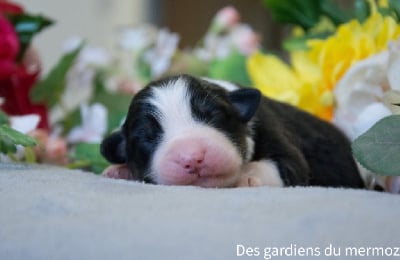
344, 68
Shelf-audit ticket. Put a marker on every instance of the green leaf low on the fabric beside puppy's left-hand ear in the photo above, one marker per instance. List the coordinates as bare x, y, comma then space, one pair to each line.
88, 156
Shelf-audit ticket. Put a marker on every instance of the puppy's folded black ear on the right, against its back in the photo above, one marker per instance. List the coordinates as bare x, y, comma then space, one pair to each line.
246, 101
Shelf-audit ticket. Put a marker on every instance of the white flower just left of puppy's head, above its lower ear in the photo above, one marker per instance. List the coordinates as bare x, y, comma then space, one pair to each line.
94, 125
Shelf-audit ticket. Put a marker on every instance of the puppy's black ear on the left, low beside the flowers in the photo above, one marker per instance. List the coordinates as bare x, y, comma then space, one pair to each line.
113, 148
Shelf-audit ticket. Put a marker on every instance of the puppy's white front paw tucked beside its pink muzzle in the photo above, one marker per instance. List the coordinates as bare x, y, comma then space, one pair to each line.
260, 173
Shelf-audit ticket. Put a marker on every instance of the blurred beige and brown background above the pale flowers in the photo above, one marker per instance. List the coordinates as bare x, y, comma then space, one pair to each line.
97, 20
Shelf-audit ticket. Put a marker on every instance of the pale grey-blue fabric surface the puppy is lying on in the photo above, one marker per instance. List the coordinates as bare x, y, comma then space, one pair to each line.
54, 213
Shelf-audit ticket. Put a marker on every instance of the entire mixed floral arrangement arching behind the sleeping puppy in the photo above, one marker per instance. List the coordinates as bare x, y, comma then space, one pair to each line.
342, 68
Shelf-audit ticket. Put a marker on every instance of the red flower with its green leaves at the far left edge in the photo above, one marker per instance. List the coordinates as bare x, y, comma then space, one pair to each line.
19, 70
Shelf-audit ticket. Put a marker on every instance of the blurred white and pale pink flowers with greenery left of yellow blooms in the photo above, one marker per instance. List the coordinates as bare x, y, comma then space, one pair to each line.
106, 82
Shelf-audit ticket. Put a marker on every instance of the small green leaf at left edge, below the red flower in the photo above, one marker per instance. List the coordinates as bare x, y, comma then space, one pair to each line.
10, 138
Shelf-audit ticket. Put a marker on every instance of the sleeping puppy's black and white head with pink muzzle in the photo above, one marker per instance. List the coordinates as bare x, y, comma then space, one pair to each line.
185, 131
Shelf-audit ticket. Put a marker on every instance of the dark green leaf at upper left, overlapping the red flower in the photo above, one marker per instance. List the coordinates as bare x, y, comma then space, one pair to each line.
27, 26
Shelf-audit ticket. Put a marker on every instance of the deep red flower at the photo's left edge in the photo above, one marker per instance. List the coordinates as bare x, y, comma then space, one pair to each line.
16, 79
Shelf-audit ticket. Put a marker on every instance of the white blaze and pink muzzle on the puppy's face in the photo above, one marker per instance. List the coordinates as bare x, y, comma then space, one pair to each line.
190, 152
